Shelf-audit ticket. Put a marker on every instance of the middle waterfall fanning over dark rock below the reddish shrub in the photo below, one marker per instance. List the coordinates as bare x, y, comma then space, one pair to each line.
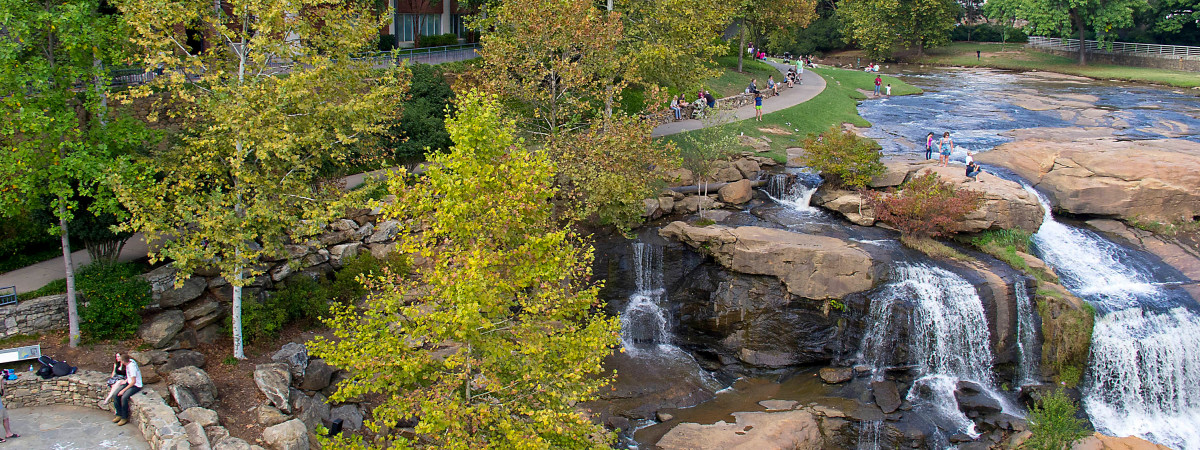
949, 339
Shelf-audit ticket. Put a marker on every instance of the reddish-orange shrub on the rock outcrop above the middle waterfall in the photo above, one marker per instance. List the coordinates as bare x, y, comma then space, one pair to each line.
926, 207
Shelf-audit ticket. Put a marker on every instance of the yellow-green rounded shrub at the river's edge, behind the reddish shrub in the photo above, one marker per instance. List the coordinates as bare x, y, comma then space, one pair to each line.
843, 158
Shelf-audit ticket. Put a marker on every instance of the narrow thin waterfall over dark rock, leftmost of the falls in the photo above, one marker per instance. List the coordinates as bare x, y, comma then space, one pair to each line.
644, 325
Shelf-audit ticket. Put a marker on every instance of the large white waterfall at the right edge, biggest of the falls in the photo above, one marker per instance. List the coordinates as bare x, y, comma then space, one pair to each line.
1144, 371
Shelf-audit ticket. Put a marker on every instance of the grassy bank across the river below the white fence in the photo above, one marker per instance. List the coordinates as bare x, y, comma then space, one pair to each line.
1017, 57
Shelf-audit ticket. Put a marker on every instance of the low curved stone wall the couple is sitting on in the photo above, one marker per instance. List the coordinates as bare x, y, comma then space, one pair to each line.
149, 412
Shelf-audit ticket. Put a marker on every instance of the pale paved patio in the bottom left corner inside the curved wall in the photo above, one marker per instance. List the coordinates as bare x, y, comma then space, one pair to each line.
63, 428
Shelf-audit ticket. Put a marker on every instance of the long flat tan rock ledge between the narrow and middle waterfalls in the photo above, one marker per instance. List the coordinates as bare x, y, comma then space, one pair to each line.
809, 266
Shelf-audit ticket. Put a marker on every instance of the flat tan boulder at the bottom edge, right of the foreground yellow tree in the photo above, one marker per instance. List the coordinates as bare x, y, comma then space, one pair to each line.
753, 431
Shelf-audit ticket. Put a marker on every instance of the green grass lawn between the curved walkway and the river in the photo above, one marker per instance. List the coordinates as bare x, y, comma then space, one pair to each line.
837, 105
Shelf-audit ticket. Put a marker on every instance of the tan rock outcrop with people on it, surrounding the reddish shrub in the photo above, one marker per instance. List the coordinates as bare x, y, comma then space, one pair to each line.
1006, 205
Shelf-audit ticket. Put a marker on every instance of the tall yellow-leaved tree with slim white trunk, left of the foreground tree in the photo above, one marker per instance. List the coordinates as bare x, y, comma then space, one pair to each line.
273, 99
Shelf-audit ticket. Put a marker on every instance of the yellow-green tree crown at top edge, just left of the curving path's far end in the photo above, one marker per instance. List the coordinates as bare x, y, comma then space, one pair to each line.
673, 43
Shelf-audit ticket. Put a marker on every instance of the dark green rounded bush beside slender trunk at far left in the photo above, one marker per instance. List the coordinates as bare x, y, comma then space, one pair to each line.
113, 301
